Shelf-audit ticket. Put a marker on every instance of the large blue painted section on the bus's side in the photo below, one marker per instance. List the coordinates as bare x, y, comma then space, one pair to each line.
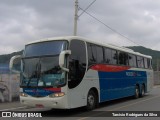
114, 85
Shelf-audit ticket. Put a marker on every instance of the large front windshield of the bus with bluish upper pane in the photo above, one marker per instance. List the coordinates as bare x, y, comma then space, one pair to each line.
40, 65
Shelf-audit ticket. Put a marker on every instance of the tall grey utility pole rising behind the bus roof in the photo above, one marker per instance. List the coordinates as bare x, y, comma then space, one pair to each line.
75, 18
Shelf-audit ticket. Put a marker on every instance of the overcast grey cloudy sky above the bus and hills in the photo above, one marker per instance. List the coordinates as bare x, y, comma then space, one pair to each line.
23, 21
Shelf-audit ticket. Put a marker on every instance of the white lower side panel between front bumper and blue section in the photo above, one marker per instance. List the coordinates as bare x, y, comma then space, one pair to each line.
77, 96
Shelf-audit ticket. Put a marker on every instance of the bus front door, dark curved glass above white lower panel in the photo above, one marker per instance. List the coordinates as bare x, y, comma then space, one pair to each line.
77, 69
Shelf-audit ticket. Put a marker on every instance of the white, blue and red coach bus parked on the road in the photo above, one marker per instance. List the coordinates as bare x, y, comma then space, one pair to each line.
70, 72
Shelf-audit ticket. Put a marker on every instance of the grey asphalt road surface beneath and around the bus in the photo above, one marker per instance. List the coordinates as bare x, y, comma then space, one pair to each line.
147, 105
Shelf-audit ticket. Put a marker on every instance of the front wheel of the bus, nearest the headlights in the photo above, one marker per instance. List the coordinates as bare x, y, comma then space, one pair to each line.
91, 100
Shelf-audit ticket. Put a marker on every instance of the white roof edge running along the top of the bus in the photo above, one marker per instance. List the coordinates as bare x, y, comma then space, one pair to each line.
108, 45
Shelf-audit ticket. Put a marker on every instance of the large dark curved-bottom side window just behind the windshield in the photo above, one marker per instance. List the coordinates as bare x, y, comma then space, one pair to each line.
77, 63
